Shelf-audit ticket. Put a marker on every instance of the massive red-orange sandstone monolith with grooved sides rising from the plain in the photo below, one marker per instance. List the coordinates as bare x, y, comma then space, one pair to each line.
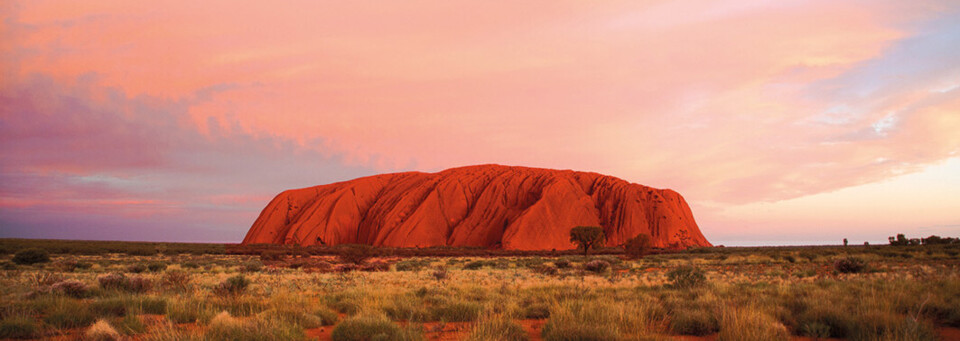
491, 206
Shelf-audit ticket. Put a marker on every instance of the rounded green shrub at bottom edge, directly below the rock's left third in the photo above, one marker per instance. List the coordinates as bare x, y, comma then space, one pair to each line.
372, 327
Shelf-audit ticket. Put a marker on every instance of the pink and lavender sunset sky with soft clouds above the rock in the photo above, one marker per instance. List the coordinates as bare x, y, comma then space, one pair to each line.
781, 122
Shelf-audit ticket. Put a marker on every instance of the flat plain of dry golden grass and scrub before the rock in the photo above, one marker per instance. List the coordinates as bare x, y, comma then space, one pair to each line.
908, 292
